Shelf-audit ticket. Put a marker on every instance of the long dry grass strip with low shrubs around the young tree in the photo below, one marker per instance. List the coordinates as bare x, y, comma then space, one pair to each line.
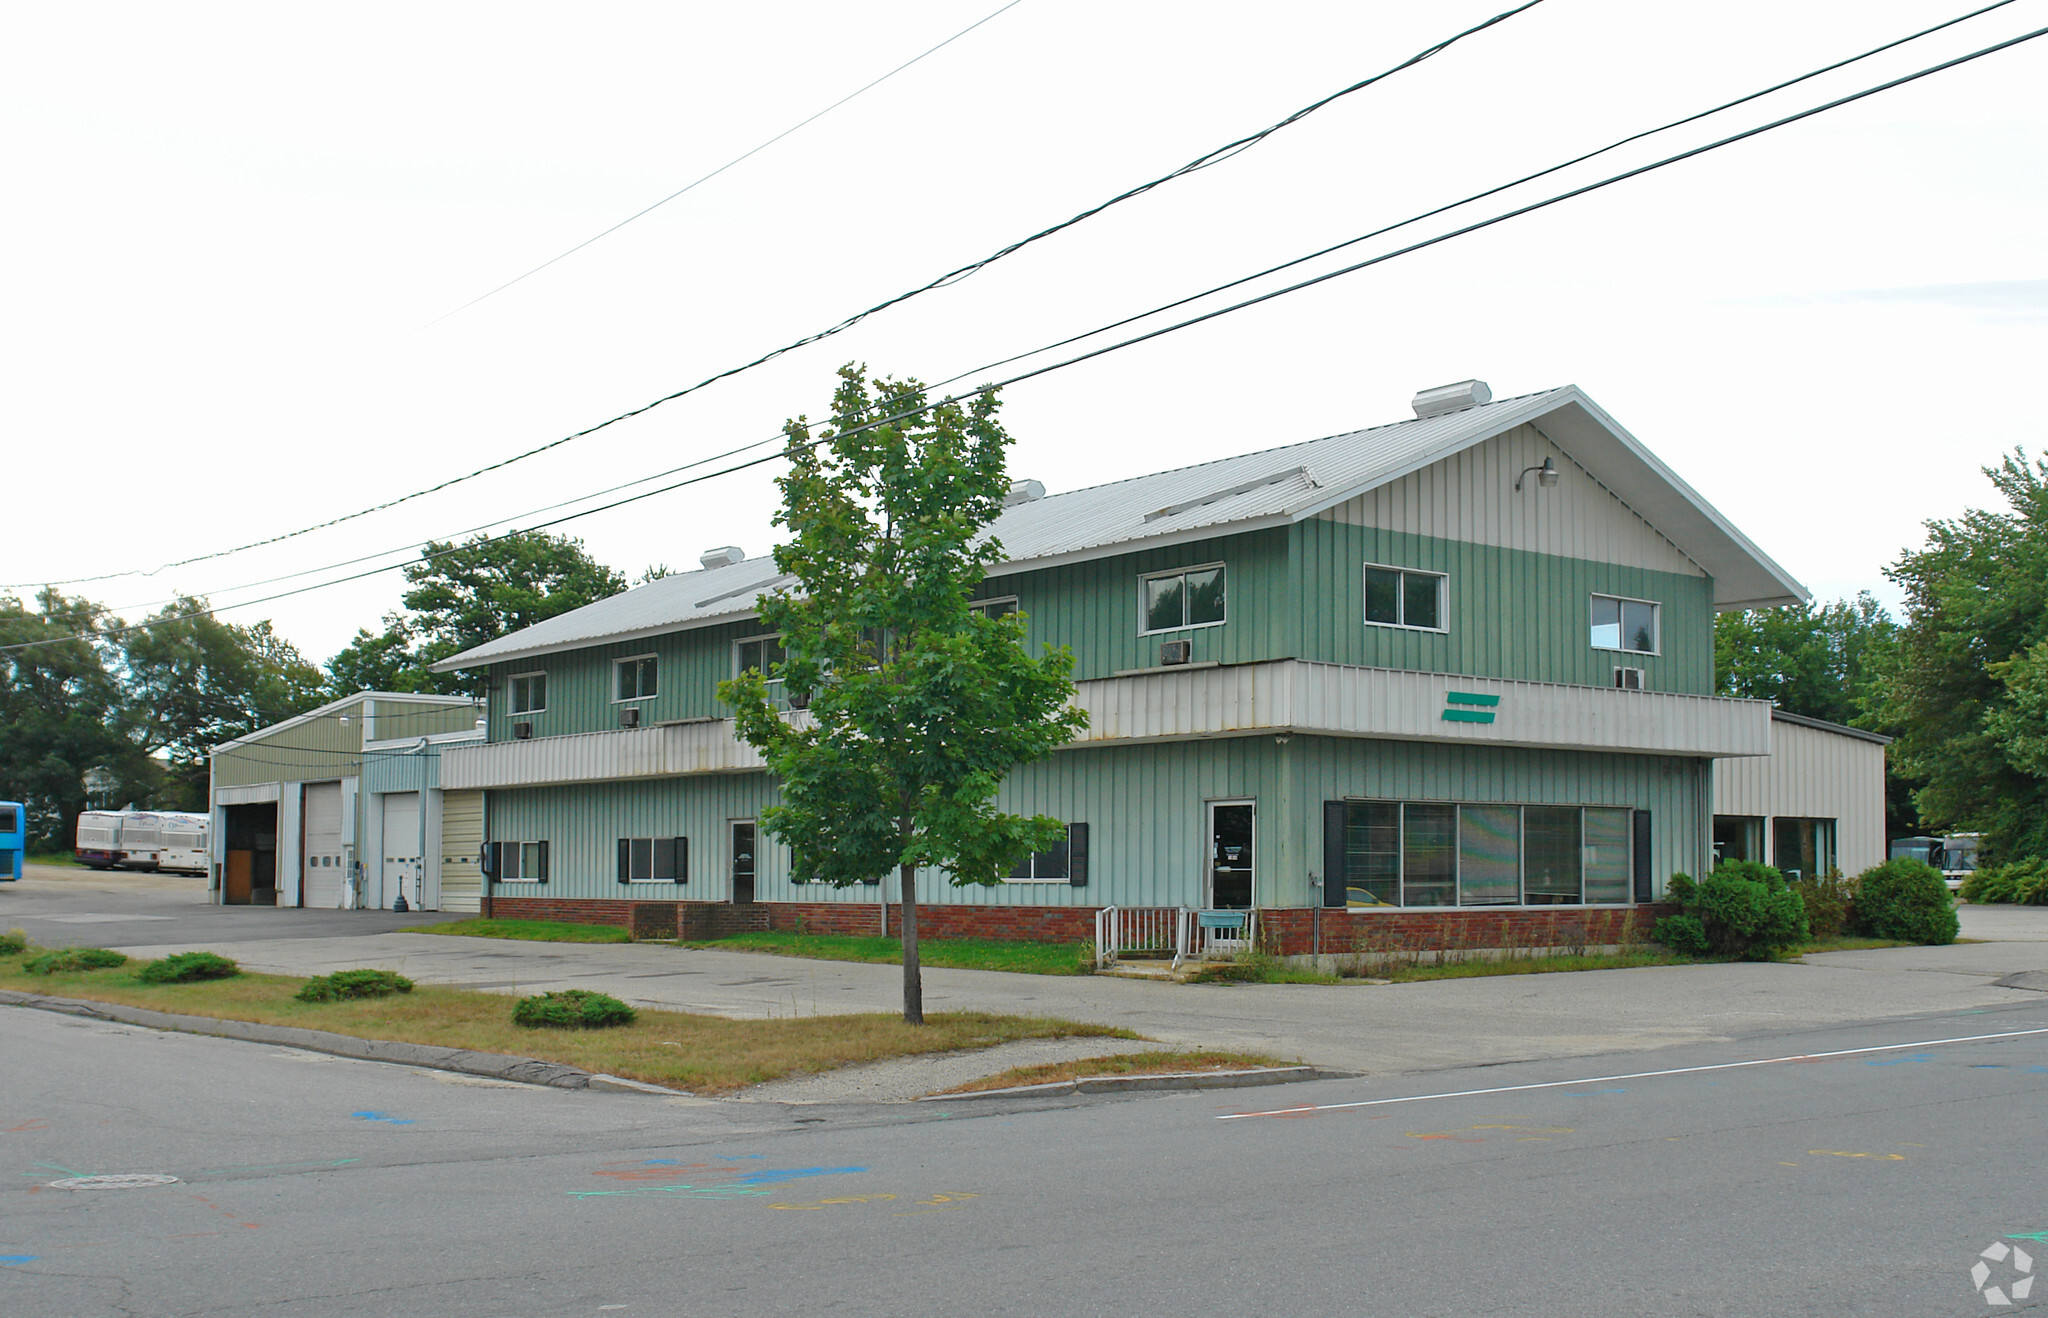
697, 1053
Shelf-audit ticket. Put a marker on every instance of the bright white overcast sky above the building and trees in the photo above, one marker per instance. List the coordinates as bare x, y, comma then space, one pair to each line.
226, 228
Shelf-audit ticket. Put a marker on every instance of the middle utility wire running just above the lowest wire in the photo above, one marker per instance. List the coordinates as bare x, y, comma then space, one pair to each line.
1195, 298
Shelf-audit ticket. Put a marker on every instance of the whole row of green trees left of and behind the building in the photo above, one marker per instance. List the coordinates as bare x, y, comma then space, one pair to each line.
134, 711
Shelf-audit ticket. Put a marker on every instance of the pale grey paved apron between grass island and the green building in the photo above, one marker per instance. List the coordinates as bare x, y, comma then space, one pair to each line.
1375, 1028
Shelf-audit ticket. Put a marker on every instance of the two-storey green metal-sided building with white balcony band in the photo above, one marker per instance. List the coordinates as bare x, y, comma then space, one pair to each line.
1445, 678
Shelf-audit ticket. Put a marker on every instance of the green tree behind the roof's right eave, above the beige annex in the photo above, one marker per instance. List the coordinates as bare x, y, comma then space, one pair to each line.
1824, 662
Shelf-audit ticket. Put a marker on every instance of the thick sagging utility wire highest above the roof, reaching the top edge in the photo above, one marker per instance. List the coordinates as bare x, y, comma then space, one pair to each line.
1199, 163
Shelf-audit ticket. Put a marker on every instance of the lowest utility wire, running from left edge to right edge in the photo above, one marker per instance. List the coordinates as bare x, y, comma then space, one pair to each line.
1164, 331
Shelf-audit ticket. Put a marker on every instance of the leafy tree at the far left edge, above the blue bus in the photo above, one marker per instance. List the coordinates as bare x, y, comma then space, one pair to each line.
65, 715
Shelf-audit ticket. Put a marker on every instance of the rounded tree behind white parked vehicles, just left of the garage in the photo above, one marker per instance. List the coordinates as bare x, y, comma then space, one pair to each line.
196, 683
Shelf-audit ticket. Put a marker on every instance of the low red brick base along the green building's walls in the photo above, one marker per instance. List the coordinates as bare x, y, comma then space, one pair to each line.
1283, 932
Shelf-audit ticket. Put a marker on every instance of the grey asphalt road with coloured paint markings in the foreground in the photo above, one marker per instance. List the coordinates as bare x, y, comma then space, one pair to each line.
1865, 1178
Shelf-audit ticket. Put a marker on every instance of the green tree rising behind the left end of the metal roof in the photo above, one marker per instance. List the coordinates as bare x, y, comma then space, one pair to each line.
462, 597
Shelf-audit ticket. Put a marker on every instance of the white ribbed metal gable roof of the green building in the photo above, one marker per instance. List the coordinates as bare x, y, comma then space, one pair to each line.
1248, 492
